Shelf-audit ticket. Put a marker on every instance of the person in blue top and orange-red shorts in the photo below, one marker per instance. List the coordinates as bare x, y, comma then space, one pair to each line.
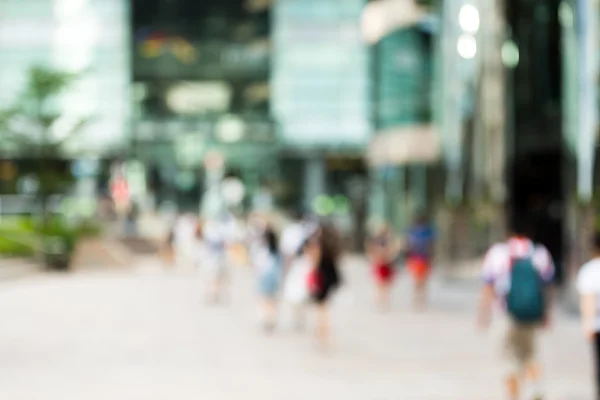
419, 248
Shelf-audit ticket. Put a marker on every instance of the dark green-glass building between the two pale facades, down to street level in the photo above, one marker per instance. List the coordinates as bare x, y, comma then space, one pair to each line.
201, 84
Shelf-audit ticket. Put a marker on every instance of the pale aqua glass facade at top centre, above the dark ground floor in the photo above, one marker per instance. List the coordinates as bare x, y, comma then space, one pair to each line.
320, 73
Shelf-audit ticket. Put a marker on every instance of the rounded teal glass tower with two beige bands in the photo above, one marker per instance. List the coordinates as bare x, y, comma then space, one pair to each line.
401, 35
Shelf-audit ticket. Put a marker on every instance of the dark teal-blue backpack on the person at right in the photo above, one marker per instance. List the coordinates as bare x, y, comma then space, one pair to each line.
526, 301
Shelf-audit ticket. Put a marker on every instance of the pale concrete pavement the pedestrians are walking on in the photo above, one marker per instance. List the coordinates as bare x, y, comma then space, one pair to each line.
148, 335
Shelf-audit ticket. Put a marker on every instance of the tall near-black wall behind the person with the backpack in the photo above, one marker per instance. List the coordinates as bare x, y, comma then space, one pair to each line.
536, 172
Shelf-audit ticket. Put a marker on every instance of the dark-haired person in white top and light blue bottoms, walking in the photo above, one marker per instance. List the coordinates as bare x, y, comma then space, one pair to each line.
267, 261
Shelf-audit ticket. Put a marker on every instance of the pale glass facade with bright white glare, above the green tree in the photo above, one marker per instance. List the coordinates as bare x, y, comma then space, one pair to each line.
89, 37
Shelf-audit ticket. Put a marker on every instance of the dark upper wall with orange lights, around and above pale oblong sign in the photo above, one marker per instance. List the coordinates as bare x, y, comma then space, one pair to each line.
201, 41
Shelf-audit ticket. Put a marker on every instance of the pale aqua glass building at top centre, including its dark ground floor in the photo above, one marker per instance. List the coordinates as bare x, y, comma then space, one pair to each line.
321, 97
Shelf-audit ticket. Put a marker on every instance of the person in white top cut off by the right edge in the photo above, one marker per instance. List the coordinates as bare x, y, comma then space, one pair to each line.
588, 286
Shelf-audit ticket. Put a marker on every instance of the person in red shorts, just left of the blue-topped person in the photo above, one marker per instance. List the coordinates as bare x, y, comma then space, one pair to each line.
381, 251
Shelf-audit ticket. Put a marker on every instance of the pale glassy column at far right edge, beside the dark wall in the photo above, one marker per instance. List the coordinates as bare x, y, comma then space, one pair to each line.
579, 20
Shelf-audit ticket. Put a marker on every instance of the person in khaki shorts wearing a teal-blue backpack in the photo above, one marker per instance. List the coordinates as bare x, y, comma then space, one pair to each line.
518, 274
